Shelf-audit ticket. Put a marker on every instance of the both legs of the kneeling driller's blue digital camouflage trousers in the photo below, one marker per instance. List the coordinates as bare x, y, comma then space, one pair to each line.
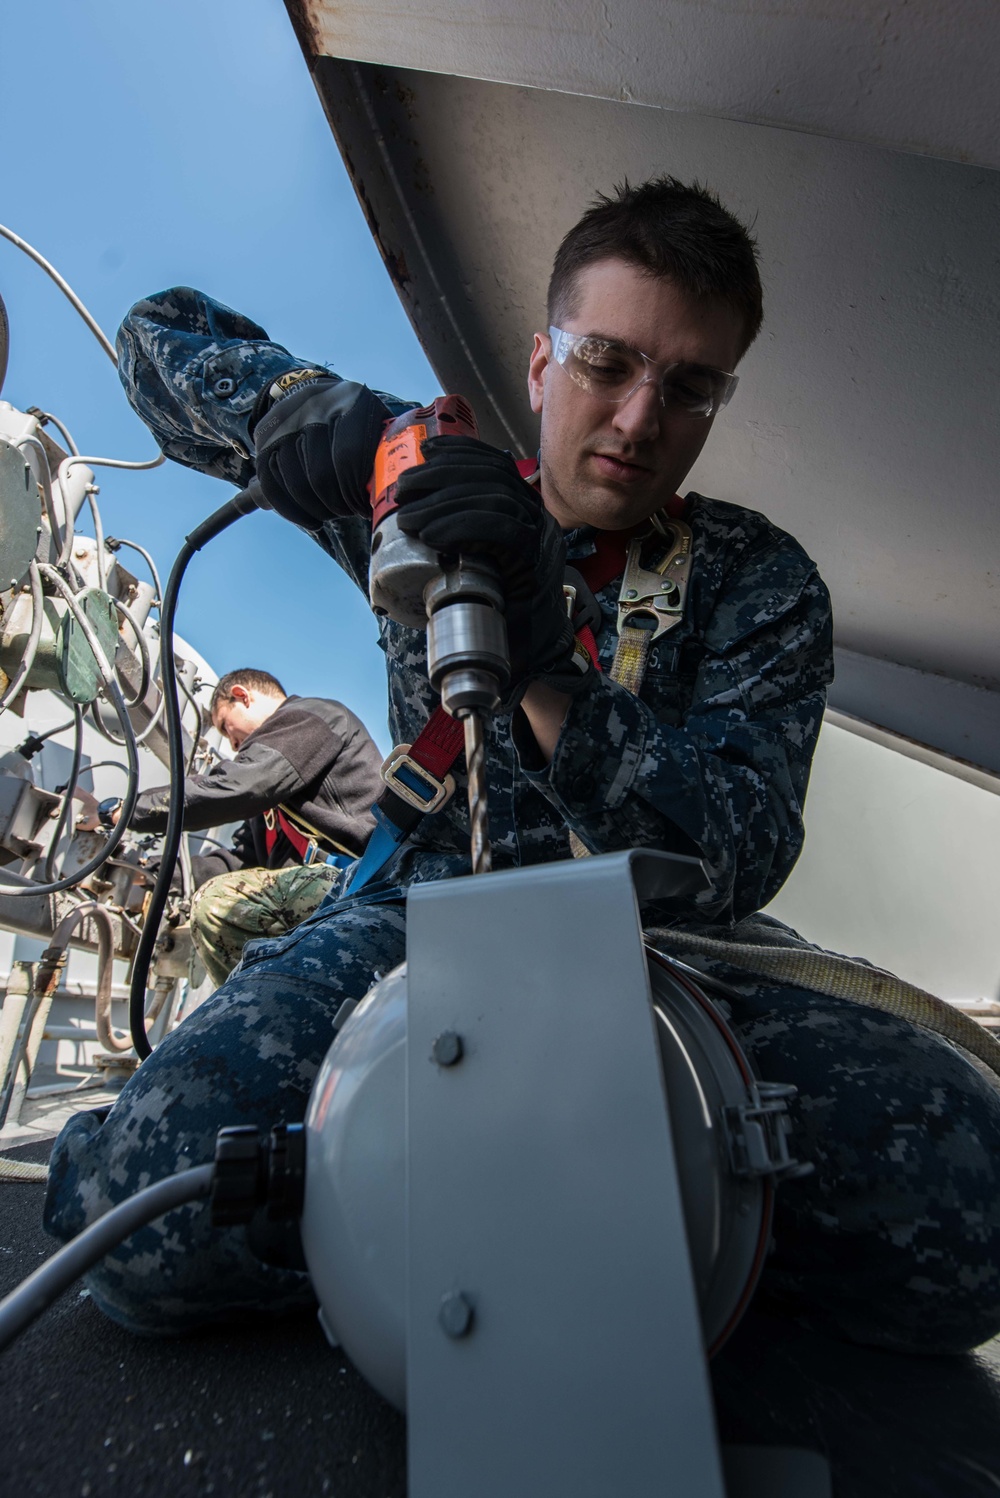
893, 1241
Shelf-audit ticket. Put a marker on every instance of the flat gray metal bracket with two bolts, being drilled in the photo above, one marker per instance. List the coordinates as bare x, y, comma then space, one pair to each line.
553, 1331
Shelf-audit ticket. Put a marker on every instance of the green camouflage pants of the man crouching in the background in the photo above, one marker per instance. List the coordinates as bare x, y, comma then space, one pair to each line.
236, 909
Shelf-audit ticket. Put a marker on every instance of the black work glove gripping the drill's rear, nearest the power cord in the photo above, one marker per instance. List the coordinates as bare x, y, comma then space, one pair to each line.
317, 452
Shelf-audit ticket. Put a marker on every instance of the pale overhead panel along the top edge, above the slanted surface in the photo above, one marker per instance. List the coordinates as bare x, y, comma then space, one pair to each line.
920, 76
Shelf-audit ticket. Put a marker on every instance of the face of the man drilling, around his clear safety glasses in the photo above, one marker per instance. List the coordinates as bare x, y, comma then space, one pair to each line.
615, 465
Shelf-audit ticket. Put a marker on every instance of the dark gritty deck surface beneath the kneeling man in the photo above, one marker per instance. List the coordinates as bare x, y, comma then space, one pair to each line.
89, 1412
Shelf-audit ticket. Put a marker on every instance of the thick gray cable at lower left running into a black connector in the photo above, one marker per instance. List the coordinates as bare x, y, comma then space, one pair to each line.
59, 1273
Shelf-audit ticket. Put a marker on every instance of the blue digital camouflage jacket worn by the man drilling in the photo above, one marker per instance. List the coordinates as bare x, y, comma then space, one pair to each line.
712, 757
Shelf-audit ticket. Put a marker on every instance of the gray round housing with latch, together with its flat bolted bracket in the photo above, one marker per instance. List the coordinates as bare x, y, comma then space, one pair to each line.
540, 1175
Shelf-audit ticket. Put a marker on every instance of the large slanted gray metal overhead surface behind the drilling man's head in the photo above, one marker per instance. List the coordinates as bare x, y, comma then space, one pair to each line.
866, 422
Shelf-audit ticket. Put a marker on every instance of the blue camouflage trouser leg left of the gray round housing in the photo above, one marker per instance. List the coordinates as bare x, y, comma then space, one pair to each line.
249, 1055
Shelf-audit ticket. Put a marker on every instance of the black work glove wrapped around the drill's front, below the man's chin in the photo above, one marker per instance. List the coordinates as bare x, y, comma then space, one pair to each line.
469, 500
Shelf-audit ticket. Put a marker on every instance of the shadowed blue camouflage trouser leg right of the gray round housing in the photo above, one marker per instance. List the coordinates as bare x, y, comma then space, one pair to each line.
894, 1241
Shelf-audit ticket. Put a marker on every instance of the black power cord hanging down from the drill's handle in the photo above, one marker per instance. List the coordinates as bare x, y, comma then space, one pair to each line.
242, 504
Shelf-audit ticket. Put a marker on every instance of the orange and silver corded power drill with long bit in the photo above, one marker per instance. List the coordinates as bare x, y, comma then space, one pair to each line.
457, 598
